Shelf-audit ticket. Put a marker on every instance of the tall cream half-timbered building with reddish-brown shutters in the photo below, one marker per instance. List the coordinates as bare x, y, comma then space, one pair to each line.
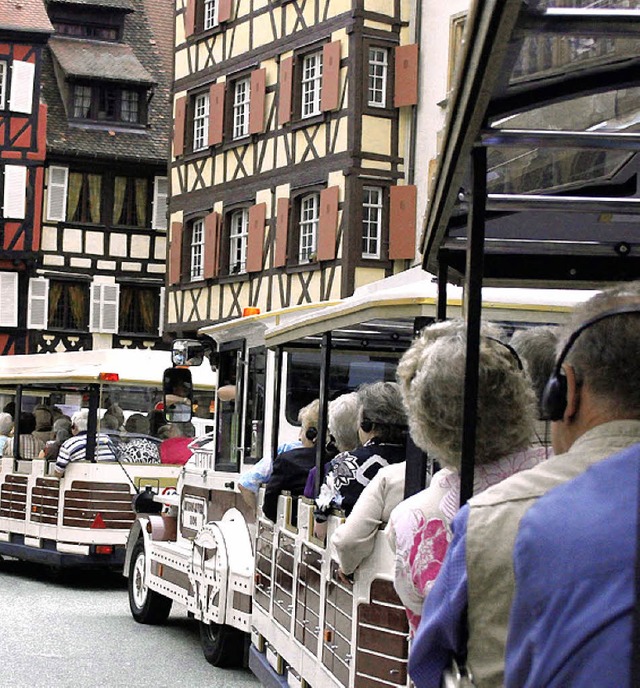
293, 122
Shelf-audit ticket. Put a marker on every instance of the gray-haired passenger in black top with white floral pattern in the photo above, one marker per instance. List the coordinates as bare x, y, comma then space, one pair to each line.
382, 434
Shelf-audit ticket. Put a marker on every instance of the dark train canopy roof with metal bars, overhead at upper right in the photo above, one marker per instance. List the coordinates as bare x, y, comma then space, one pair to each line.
547, 104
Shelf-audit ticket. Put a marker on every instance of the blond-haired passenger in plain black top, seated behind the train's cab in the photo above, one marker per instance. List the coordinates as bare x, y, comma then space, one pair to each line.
291, 469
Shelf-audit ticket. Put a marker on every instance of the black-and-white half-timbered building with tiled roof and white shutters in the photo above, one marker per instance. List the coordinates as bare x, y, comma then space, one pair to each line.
106, 82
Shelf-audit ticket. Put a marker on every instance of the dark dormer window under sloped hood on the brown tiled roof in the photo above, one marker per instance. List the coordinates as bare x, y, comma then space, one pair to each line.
107, 102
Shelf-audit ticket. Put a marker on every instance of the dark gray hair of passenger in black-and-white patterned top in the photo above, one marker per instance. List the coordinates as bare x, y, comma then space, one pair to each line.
381, 403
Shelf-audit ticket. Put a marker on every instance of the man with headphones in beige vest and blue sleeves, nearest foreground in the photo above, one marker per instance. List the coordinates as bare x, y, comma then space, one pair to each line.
595, 402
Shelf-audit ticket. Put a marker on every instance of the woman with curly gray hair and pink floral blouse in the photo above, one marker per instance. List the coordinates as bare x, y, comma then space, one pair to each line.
431, 375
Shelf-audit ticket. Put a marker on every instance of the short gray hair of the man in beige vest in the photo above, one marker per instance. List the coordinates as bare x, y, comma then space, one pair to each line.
605, 355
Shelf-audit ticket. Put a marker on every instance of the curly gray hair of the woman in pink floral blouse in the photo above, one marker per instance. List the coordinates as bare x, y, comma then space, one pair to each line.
432, 376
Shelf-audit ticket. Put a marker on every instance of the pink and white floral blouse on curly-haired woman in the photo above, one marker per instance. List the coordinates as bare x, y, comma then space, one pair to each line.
419, 529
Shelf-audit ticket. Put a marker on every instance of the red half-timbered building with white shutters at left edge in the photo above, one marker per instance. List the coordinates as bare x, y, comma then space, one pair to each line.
24, 31
